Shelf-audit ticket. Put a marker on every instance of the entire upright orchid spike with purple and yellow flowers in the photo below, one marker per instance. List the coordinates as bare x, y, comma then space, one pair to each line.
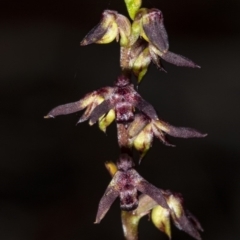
143, 40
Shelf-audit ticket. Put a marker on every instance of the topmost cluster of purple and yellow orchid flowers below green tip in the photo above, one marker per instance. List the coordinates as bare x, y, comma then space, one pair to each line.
143, 41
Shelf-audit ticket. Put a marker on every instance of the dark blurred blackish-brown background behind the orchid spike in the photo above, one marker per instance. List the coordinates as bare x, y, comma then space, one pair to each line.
52, 172
